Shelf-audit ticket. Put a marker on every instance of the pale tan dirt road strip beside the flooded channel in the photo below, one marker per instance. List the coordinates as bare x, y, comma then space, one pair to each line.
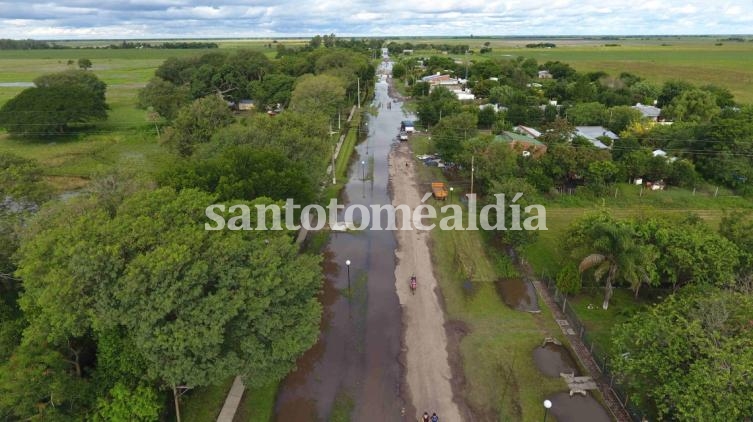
428, 373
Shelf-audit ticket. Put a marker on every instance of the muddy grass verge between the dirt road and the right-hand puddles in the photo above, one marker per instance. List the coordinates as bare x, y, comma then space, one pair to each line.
497, 351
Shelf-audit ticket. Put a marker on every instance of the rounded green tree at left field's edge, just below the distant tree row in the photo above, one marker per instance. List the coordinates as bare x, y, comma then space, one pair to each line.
196, 123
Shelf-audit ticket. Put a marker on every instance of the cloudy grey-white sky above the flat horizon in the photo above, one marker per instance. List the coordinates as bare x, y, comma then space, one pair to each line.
68, 19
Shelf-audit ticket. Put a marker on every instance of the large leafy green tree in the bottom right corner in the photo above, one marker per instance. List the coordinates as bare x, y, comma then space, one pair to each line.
690, 357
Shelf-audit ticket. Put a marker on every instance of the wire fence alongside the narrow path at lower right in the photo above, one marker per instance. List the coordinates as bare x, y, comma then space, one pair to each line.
600, 358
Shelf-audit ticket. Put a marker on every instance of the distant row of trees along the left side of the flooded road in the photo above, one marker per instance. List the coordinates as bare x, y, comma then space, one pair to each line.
244, 74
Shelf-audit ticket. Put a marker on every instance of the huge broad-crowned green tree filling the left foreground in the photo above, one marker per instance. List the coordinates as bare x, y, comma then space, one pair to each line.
197, 306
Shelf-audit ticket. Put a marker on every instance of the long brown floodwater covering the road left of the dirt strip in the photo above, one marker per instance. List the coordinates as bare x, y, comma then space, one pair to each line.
358, 352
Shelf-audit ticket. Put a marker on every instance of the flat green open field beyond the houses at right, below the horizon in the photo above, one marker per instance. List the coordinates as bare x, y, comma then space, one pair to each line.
658, 59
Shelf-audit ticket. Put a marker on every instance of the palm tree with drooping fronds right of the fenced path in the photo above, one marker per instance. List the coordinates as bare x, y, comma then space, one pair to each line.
616, 256
